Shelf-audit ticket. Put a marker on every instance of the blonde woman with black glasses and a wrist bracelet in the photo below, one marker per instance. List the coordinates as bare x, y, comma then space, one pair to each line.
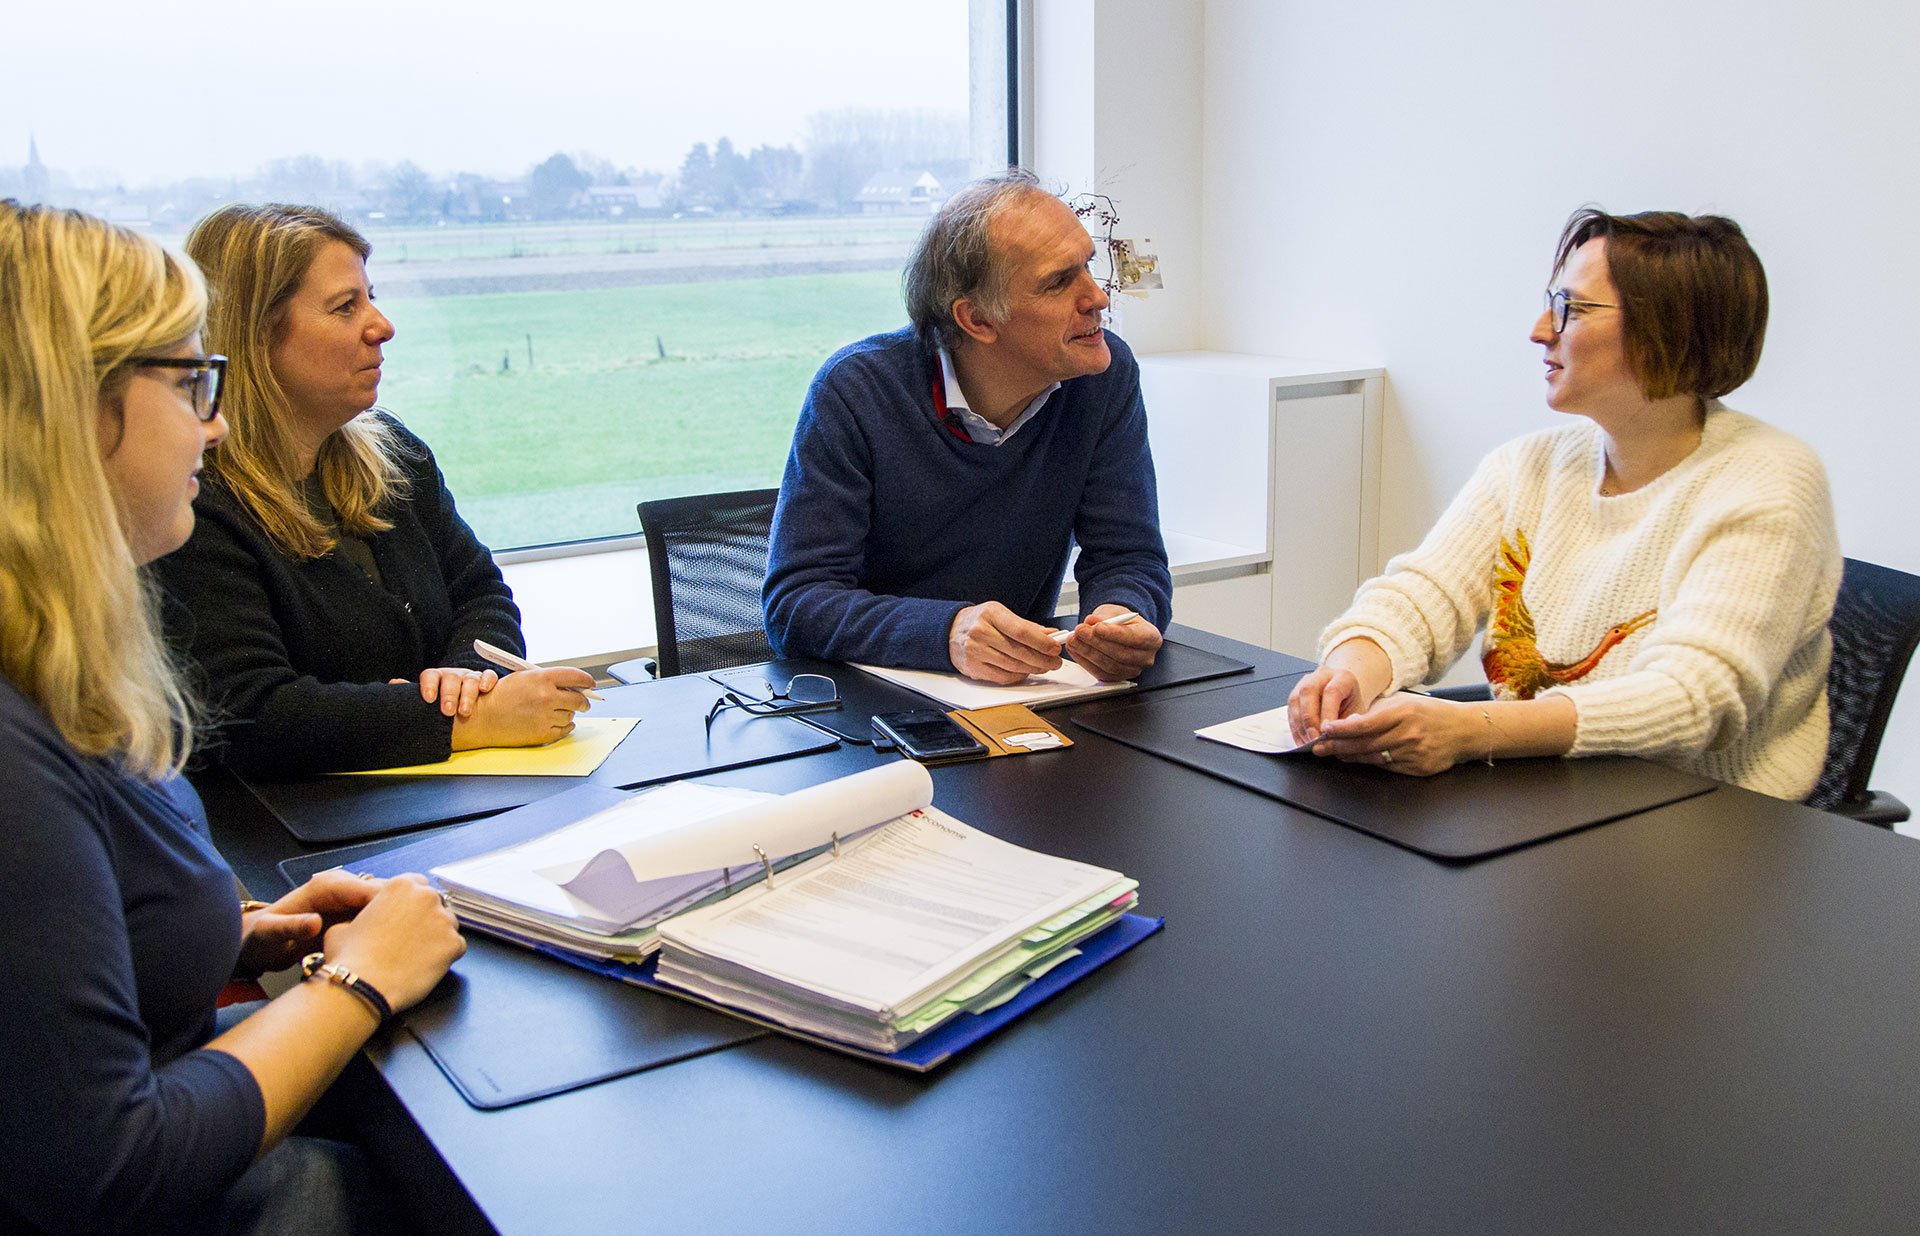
118, 920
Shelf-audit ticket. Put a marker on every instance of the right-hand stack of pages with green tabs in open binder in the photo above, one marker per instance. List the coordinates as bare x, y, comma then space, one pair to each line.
917, 922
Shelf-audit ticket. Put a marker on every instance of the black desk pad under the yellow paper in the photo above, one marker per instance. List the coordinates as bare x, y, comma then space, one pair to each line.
671, 742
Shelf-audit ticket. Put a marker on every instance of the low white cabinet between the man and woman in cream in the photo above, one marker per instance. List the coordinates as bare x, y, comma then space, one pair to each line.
1270, 488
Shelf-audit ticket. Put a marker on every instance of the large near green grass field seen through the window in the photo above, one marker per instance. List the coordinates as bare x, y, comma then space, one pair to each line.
564, 450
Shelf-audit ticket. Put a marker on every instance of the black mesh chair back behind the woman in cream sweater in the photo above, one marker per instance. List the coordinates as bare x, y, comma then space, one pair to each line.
1875, 627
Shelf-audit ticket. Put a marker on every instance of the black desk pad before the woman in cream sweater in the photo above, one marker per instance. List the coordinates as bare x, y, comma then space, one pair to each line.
1466, 813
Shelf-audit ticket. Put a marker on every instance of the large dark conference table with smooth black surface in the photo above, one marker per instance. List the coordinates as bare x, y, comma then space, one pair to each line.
1696, 1020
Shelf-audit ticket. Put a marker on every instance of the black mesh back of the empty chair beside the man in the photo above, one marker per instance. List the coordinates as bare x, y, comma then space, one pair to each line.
709, 561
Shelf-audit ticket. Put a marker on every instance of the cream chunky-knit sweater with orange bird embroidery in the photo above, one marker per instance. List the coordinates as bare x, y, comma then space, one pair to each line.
1733, 550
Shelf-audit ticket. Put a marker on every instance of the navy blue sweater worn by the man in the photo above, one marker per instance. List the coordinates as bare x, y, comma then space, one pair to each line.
890, 523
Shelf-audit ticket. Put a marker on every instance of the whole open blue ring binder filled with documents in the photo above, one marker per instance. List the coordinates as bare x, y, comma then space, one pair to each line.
853, 913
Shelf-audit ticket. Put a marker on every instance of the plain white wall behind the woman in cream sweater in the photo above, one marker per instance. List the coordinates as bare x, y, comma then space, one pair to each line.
1383, 183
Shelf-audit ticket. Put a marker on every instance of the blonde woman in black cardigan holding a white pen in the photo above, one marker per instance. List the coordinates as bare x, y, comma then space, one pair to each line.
331, 596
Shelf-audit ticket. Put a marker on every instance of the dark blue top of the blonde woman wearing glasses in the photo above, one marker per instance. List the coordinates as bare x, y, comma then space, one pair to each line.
118, 928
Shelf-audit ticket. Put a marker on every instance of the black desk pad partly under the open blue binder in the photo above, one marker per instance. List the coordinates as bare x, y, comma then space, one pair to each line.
510, 1026
